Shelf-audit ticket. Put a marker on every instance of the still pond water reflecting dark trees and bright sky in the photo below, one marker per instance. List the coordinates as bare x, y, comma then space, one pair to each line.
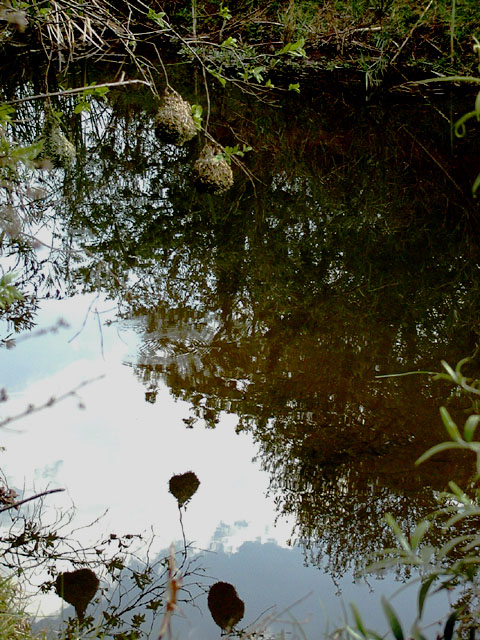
242, 336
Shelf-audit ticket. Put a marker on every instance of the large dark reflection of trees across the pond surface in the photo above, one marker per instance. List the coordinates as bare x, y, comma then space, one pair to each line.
281, 302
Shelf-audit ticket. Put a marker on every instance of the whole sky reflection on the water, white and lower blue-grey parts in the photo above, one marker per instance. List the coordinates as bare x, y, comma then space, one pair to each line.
118, 453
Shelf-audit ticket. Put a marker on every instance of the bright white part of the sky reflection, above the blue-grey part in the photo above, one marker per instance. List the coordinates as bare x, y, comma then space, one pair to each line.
120, 451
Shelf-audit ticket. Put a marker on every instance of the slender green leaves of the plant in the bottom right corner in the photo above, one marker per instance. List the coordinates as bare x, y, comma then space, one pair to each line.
452, 564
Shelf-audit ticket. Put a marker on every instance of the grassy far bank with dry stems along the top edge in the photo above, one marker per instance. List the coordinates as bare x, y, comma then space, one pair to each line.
378, 42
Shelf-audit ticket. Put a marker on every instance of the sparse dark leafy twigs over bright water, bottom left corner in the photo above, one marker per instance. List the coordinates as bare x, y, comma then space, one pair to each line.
114, 577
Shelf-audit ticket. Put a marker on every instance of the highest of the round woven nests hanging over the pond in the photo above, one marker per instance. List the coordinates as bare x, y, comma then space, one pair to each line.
174, 122
